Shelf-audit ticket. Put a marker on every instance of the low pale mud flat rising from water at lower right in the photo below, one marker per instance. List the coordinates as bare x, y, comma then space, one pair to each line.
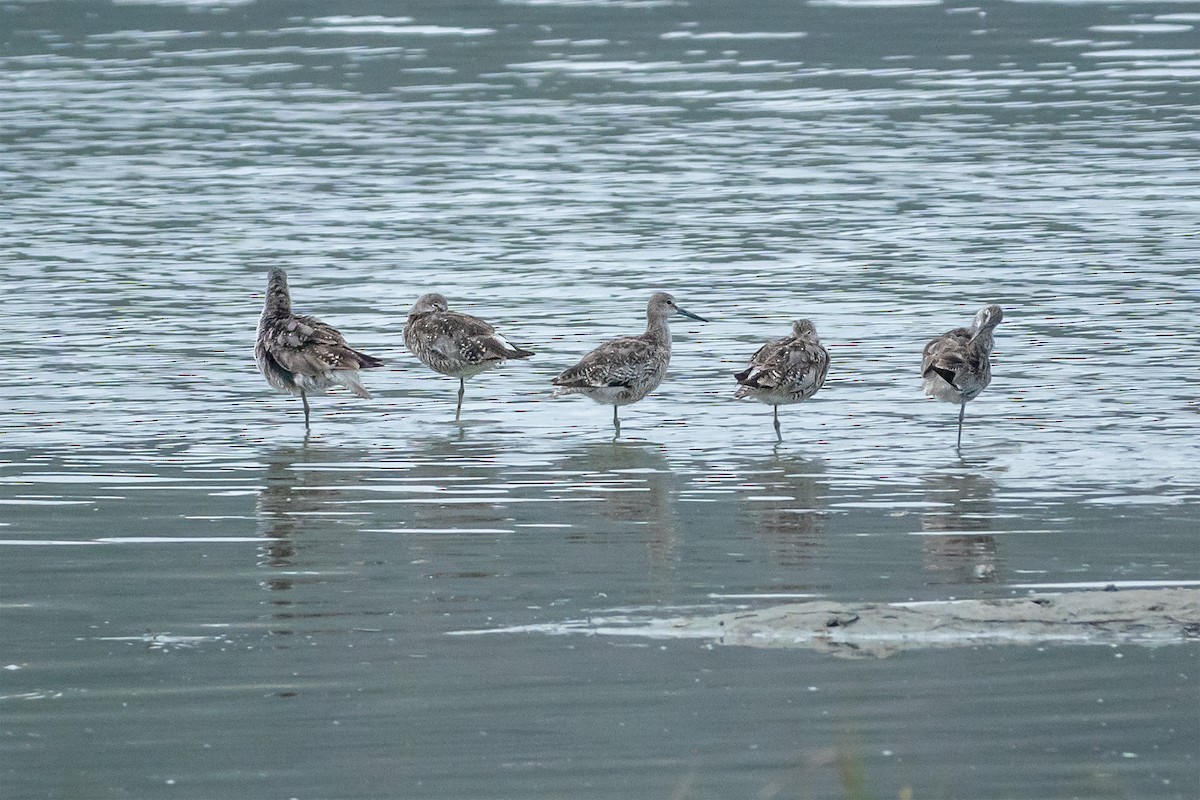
1143, 617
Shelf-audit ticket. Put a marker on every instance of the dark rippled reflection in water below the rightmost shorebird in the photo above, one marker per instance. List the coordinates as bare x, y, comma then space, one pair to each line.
957, 545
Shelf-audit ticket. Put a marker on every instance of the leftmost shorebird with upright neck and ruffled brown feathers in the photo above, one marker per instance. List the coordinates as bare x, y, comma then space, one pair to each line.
302, 354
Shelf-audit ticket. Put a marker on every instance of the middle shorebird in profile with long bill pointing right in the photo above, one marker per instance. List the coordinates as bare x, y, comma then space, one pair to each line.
626, 370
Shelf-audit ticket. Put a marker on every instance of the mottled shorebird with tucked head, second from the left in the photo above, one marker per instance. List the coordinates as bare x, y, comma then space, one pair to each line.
455, 345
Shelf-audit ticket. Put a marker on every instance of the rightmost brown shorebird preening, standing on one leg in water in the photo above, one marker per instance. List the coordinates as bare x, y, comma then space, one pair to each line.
957, 365
